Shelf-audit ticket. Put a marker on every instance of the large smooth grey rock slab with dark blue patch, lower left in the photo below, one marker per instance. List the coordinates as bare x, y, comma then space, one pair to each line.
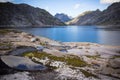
22, 63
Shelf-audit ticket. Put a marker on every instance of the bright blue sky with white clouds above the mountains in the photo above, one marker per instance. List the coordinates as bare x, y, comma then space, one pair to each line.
70, 7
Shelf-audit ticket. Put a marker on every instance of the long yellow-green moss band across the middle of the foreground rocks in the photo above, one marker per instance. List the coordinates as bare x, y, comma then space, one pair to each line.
69, 60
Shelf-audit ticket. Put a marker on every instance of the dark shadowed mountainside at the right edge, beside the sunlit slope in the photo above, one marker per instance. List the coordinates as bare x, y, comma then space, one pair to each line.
110, 16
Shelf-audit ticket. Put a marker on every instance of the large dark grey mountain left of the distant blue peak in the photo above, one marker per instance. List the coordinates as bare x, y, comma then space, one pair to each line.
25, 15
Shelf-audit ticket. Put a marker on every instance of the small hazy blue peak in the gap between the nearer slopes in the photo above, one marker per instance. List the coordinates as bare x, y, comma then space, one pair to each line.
63, 17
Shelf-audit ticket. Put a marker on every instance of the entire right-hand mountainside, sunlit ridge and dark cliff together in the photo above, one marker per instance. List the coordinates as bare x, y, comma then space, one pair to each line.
110, 16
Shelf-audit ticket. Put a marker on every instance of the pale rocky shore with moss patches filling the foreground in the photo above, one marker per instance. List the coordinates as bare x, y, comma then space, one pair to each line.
63, 61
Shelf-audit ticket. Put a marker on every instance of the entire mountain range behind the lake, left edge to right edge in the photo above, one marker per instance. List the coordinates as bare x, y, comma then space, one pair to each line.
26, 15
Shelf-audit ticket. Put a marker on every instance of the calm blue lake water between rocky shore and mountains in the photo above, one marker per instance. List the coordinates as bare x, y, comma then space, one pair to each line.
78, 34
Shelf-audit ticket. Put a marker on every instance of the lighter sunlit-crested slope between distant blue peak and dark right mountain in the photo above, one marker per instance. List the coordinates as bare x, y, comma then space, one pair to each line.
86, 18
